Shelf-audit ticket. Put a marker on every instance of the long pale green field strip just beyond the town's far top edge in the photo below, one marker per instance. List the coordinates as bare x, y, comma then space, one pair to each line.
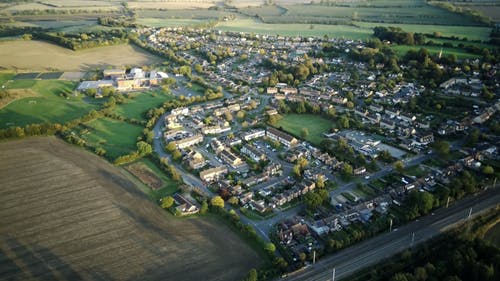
295, 29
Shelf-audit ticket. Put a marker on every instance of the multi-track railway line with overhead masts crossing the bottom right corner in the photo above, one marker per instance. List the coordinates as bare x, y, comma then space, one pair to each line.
367, 253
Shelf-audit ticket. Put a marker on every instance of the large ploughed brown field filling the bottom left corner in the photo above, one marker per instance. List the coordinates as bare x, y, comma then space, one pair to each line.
68, 215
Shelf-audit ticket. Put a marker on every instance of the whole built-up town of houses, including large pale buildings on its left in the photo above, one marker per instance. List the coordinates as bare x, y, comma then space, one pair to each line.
304, 195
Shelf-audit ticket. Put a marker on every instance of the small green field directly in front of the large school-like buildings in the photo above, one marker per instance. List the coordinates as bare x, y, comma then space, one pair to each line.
136, 108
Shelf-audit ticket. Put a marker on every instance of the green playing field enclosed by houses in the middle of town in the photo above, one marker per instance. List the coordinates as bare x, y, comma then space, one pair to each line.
317, 125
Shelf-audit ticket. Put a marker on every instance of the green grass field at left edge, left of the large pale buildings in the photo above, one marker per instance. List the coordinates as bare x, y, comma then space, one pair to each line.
49, 106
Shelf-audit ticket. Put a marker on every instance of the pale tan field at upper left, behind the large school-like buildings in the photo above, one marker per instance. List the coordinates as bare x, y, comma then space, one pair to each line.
39, 56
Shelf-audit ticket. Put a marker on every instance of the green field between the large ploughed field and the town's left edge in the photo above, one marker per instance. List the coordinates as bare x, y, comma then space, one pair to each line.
116, 137
